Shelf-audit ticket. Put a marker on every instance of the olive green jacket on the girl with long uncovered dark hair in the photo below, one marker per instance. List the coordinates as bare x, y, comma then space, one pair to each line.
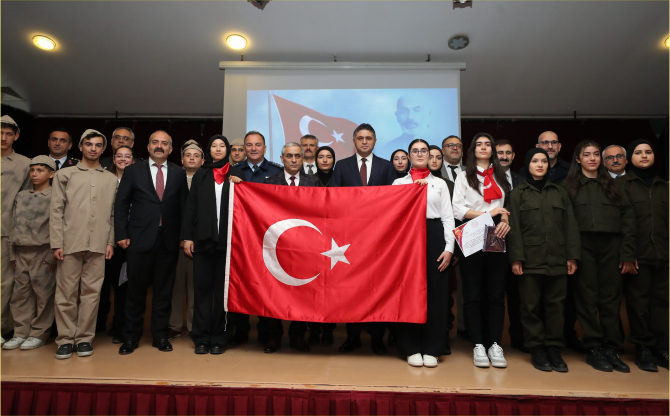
595, 213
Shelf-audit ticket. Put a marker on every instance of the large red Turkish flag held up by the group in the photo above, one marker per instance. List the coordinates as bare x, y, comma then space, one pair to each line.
351, 254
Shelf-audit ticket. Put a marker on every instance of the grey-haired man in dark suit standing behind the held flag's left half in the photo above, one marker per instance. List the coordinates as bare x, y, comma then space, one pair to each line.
292, 175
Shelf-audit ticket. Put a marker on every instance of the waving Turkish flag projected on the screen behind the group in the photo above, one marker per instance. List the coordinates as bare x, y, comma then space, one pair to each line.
298, 120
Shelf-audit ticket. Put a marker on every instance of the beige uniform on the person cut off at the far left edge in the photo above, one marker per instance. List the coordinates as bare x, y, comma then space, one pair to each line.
15, 178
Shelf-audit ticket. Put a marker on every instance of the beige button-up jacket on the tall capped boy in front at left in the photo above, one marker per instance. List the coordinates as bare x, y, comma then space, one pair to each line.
82, 209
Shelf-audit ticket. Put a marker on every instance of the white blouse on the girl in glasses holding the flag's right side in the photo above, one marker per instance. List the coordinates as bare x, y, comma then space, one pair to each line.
438, 205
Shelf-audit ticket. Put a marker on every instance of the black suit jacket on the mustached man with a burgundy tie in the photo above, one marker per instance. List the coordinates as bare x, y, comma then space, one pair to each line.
137, 209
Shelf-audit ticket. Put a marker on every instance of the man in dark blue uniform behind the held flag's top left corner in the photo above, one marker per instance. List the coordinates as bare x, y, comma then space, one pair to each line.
256, 168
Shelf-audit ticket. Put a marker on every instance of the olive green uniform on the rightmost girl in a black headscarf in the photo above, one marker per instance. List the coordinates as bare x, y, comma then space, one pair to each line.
647, 292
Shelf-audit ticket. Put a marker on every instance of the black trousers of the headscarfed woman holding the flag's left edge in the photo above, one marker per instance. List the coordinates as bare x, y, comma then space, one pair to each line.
209, 279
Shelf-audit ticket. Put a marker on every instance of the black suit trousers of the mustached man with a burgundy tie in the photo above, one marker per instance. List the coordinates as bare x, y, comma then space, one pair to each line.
155, 267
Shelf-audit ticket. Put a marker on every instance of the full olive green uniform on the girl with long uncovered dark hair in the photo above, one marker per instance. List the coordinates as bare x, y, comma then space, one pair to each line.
608, 237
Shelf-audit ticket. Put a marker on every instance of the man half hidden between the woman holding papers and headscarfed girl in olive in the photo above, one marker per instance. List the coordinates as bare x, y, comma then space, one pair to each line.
506, 154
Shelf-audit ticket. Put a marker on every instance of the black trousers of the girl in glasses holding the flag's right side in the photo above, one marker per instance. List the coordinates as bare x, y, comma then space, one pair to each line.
430, 338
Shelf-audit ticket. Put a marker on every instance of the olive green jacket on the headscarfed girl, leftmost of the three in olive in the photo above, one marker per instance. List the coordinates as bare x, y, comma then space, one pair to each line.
543, 230
